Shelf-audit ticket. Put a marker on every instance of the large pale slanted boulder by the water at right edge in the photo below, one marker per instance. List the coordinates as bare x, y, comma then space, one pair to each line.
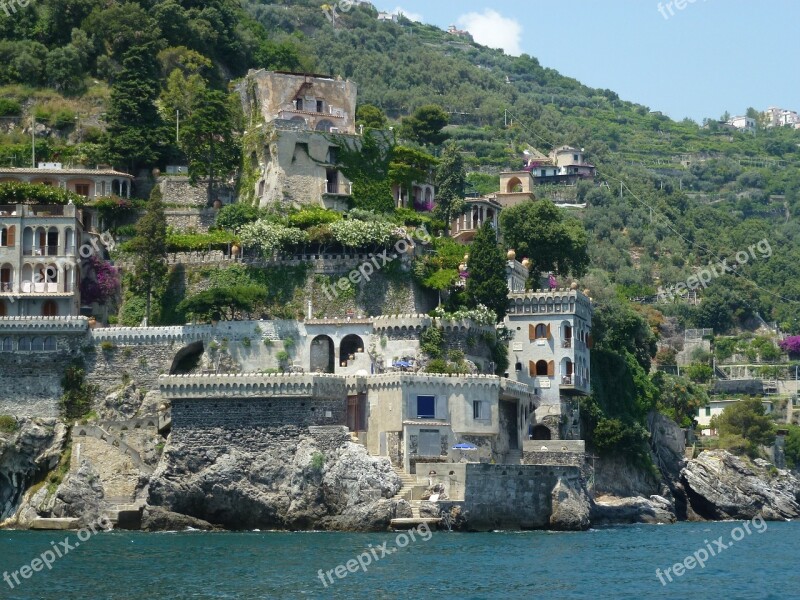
720, 485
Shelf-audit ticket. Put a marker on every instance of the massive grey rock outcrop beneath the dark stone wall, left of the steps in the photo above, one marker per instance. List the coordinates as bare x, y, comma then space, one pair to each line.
284, 478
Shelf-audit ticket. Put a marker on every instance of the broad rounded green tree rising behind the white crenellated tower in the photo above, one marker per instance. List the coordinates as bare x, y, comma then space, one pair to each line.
551, 240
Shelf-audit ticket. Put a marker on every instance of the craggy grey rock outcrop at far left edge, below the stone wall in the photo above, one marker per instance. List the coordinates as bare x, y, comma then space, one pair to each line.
26, 455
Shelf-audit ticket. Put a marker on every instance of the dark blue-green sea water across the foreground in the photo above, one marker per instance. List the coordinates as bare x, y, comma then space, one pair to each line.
607, 563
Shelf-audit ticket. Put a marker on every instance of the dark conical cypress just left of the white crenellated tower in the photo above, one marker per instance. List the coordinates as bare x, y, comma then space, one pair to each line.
487, 282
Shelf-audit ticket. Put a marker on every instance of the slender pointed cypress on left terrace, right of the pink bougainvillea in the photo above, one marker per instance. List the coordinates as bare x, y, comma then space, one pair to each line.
149, 250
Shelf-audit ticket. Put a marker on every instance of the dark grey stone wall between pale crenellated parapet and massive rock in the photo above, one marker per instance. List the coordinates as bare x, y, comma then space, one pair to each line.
256, 412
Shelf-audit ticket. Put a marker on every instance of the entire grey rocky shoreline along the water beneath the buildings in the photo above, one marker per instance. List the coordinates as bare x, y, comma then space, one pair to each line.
308, 479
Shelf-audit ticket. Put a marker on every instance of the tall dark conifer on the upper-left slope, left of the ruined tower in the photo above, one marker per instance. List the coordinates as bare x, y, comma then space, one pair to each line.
136, 132
